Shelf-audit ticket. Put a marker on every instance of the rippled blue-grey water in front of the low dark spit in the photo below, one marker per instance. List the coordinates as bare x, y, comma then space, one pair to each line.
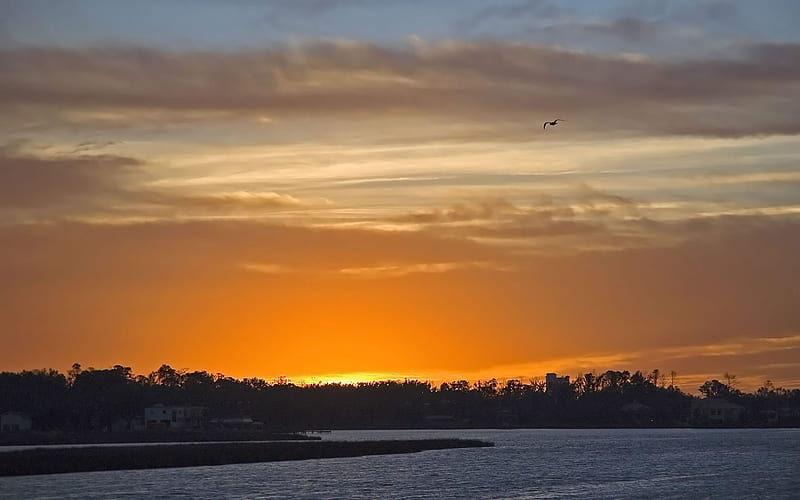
675, 463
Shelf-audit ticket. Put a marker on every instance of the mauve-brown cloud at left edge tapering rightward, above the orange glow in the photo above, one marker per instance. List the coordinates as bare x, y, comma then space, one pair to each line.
45, 185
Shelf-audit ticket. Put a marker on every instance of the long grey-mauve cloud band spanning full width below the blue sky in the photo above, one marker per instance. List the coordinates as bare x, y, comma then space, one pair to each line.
750, 92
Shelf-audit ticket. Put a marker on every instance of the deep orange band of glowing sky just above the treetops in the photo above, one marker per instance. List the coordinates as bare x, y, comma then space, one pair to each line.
191, 295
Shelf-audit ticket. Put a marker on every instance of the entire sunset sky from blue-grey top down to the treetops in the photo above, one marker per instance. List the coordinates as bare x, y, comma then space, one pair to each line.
346, 190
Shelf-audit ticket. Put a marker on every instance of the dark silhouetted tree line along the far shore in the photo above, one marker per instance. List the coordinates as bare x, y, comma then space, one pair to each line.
97, 399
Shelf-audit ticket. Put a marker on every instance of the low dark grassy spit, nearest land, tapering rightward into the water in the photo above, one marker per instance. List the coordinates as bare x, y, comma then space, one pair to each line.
98, 458
